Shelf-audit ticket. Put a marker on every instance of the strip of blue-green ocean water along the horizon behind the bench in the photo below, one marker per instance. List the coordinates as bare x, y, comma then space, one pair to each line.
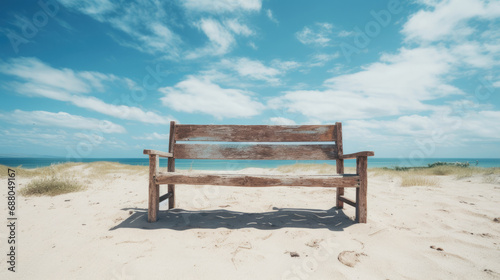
241, 164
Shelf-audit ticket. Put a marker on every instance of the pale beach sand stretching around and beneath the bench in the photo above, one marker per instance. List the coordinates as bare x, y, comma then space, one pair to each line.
441, 232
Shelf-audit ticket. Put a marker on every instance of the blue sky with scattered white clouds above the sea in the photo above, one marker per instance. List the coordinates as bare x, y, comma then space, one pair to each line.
97, 78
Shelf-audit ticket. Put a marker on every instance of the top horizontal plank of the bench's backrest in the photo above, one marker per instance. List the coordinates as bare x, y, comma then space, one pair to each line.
256, 133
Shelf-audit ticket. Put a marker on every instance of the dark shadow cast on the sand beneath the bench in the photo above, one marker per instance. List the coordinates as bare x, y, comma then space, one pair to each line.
180, 219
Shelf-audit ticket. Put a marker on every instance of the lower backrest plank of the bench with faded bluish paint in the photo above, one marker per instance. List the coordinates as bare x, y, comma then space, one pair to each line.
255, 152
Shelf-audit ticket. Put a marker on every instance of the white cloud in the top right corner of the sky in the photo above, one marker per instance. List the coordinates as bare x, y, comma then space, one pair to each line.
448, 19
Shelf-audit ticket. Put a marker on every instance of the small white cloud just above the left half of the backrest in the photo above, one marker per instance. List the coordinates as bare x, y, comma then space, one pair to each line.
200, 95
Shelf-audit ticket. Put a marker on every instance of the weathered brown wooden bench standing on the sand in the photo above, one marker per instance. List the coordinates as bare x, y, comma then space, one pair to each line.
181, 147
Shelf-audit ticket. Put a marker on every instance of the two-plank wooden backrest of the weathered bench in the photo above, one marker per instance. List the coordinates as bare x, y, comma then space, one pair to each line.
274, 136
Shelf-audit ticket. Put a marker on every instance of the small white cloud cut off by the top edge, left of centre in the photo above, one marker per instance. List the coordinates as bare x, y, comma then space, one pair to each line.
222, 6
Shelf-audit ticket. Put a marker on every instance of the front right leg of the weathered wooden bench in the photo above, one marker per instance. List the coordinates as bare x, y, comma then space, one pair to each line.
361, 192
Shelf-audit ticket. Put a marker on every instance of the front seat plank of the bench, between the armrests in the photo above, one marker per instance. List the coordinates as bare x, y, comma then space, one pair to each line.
242, 180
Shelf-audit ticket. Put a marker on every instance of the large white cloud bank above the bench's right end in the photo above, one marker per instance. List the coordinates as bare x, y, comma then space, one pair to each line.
396, 85
